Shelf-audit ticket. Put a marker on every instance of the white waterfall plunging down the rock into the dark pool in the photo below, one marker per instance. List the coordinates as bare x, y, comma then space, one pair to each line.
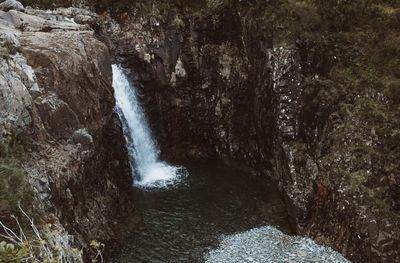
142, 149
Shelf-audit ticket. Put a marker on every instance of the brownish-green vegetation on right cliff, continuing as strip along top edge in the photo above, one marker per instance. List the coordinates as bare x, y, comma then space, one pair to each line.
352, 78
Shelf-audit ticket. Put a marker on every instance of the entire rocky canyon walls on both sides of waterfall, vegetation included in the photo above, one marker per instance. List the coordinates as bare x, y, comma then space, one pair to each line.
287, 90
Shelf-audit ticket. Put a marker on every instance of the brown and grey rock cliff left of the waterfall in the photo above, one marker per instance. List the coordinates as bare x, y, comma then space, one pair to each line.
56, 90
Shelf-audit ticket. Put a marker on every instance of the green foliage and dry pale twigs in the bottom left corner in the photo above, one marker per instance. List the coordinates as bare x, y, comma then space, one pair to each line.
31, 242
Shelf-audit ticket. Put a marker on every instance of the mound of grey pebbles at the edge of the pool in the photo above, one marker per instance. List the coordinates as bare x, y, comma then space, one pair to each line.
268, 244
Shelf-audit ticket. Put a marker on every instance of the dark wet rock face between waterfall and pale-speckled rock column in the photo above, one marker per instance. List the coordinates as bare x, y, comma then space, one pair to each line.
200, 90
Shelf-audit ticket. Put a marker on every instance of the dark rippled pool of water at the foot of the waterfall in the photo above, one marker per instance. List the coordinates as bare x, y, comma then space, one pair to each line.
180, 224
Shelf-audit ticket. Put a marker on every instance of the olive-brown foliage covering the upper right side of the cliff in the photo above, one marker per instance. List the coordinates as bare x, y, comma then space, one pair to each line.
353, 48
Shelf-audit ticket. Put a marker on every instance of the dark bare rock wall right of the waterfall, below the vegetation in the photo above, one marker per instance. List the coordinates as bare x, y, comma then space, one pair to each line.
221, 92
